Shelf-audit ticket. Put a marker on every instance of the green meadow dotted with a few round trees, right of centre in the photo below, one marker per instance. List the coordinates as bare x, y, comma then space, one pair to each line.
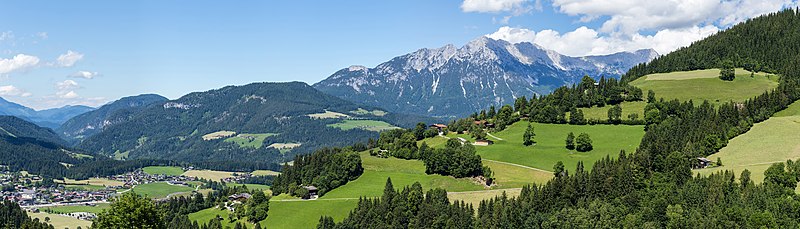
550, 146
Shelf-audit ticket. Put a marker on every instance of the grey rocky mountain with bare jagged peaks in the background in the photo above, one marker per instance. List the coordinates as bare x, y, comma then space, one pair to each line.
454, 82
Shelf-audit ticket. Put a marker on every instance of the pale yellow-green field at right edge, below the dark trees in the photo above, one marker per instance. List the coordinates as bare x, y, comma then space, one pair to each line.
774, 140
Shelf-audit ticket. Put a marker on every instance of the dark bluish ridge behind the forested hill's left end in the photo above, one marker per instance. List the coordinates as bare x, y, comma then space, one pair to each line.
92, 122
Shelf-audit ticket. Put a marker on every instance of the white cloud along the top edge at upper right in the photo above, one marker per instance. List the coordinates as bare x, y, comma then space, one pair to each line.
629, 17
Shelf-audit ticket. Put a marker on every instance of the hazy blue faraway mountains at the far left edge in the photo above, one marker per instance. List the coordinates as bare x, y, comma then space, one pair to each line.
50, 118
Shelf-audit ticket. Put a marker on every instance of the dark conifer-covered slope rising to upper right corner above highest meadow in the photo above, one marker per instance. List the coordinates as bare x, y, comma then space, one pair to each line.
768, 43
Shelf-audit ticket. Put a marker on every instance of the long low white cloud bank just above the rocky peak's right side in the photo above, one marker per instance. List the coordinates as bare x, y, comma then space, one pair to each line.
584, 41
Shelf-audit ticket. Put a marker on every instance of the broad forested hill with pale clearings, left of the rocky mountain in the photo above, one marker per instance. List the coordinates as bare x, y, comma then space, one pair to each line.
254, 125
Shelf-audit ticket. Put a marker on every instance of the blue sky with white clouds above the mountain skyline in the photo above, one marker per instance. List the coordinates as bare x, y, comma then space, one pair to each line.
111, 49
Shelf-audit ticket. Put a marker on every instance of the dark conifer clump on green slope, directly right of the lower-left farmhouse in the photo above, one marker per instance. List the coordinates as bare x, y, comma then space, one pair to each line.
325, 169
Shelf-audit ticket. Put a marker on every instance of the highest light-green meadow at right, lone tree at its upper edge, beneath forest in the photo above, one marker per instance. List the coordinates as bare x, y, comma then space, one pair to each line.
704, 85
